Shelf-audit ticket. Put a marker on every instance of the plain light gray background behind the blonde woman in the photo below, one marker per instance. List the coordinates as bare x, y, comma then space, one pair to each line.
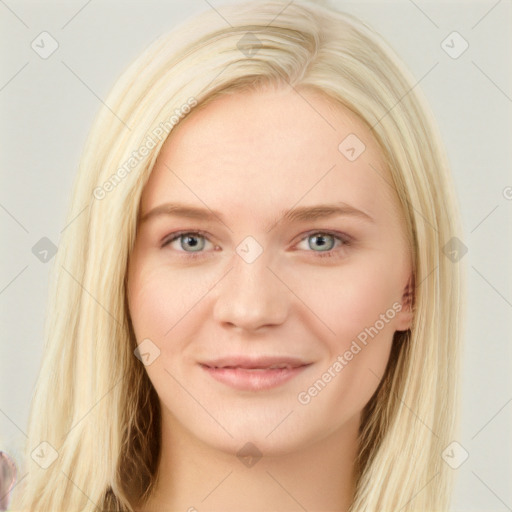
47, 107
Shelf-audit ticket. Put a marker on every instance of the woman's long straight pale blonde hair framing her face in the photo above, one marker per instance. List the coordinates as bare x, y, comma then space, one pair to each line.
94, 405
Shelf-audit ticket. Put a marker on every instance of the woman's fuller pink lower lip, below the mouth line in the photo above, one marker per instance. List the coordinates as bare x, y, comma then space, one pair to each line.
253, 380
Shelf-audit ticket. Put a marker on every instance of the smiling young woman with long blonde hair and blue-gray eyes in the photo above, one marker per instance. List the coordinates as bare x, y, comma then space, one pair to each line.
254, 311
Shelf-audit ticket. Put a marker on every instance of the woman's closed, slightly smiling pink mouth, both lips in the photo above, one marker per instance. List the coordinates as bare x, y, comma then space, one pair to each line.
254, 374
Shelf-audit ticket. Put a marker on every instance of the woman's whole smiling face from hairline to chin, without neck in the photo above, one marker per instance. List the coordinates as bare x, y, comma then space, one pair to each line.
268, 272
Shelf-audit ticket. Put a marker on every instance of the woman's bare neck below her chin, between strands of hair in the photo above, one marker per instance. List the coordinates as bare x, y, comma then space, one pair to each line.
193, 476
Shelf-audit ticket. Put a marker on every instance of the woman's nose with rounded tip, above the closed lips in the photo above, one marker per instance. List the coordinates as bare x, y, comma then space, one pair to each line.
251, 296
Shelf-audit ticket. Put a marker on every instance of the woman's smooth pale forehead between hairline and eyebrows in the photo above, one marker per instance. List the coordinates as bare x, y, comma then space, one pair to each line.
259, 151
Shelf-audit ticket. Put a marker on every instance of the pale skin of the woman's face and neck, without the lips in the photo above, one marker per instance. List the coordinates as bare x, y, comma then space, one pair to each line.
249, 157
